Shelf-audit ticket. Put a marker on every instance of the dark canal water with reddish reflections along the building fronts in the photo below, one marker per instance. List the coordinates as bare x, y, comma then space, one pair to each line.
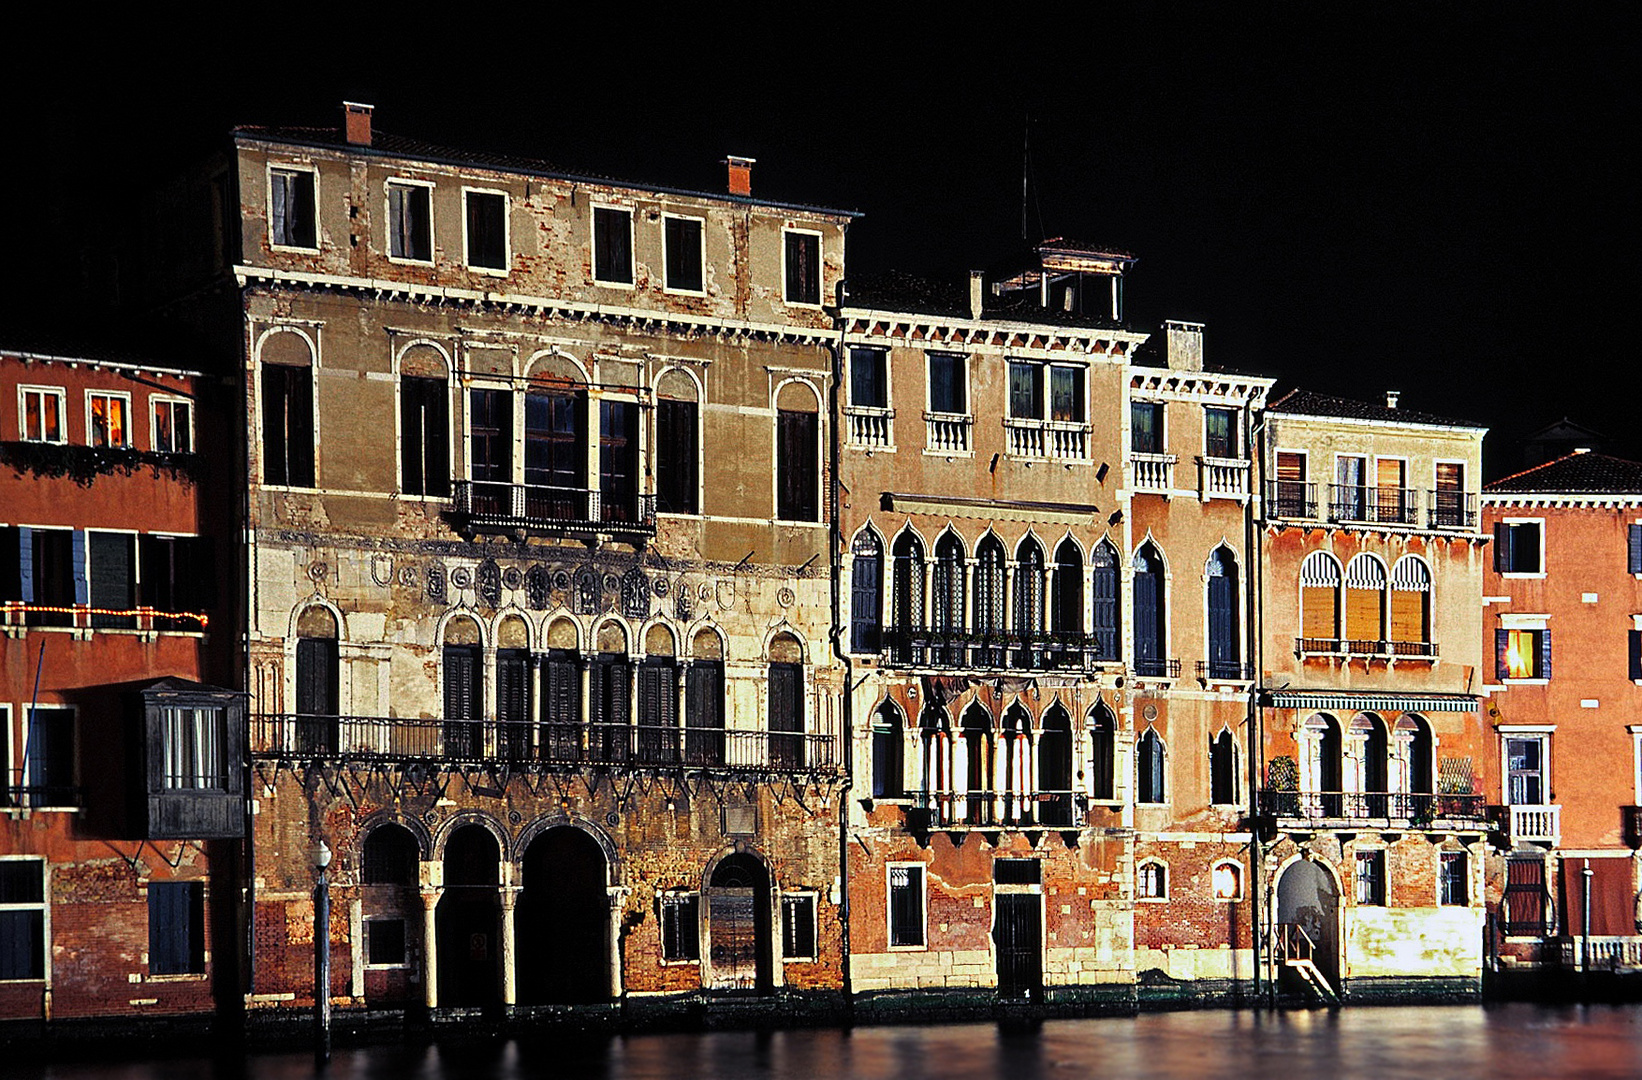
1451, 1043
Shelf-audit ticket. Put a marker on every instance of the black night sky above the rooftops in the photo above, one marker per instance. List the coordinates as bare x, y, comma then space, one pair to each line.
1428, 198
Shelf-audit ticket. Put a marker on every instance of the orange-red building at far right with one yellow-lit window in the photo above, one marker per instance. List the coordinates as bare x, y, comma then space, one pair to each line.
1564, 638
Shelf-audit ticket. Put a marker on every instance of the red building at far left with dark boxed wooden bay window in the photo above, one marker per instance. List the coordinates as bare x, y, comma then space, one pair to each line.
121, 782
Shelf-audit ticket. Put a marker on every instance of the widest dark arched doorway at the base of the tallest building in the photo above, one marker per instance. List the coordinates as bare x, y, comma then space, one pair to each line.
564, 920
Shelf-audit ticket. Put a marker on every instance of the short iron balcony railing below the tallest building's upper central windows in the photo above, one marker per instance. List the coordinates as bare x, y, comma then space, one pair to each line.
538, 508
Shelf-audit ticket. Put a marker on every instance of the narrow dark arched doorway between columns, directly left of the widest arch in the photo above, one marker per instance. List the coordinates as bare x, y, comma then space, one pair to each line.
469, 920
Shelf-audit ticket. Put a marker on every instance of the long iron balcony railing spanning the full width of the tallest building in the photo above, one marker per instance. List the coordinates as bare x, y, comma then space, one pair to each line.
485, 743
